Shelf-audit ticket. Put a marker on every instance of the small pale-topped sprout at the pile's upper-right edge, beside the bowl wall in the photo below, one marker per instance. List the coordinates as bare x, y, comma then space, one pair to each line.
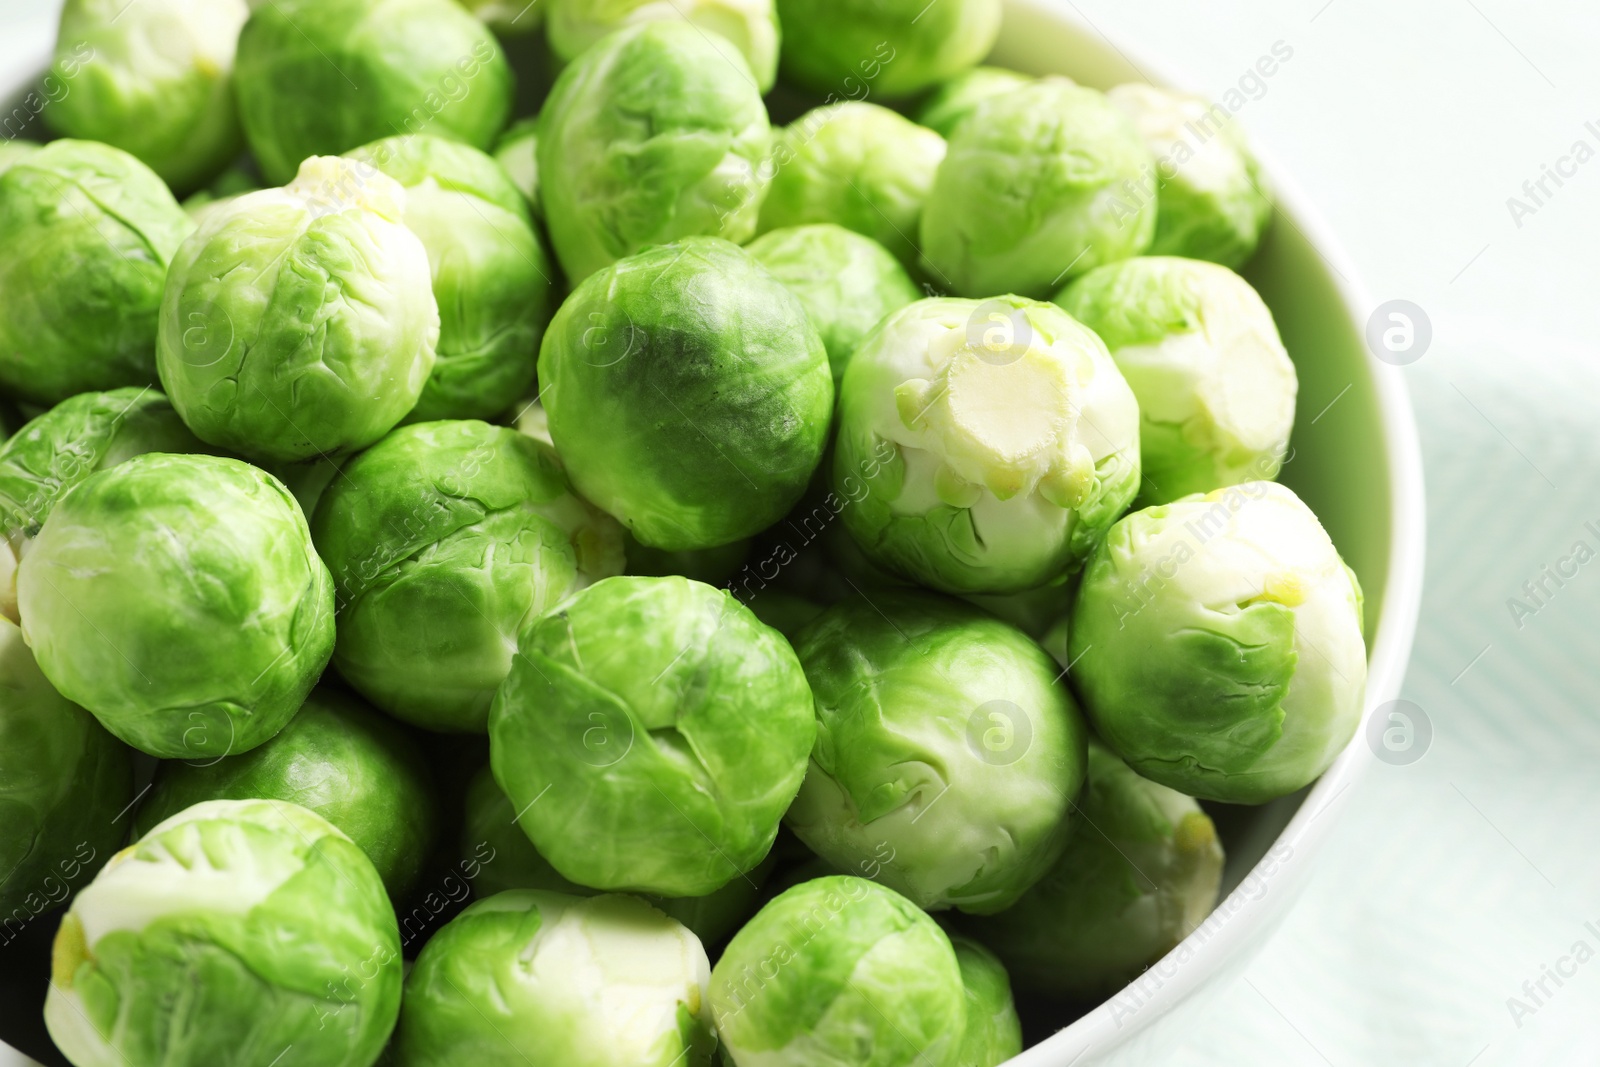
1212, 204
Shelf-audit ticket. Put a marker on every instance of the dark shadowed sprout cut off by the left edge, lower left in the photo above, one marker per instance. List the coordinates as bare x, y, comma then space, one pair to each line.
63, 786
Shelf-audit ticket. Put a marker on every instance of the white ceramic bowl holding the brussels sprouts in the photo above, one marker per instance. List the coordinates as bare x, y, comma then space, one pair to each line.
1358, 466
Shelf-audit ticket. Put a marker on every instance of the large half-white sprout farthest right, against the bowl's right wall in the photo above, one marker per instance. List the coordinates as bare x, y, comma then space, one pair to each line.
1218, 644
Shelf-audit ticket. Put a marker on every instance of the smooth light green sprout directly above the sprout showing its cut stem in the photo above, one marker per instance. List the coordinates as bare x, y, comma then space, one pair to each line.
1041, 185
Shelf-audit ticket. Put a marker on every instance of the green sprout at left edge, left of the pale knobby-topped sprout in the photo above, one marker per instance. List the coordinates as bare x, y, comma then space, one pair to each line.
86, 238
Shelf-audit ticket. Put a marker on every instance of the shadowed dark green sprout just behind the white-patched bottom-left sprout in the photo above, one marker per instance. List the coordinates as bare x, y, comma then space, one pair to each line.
337, 757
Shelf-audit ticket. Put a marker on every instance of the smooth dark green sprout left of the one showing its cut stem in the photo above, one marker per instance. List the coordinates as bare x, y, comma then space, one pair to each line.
689, 394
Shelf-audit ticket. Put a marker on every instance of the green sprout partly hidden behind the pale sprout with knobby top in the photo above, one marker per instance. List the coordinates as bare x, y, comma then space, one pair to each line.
492, 279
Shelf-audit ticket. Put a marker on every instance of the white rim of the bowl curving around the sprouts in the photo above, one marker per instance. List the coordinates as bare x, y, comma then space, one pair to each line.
1199, 959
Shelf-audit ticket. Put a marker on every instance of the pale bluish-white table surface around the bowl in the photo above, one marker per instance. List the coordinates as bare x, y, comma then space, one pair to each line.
1455, 881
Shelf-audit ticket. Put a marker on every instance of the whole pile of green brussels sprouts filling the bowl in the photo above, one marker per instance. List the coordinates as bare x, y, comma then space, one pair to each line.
847, 551
